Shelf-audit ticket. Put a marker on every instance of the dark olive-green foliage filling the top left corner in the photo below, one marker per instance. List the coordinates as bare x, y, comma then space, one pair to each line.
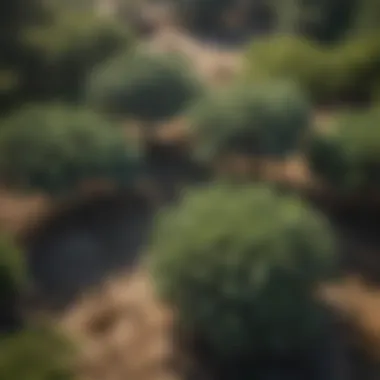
49, 51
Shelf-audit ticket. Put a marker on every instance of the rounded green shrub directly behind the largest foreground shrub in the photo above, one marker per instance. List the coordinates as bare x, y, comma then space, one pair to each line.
265, 120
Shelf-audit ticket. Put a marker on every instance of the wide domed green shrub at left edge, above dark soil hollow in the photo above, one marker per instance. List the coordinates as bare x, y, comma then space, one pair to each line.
53, 148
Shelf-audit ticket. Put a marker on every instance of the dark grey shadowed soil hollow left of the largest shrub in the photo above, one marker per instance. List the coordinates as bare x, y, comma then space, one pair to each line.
80, 246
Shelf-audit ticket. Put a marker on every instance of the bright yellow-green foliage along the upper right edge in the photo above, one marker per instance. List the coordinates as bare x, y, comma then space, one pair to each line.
346, 72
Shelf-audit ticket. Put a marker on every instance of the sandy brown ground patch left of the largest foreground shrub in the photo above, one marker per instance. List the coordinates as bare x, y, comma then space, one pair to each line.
123, 332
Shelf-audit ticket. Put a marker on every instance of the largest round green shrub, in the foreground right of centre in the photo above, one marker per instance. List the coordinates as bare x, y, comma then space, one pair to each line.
240, 265
